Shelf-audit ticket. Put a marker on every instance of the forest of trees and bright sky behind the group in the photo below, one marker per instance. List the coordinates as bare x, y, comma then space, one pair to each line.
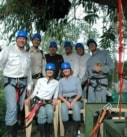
60, 20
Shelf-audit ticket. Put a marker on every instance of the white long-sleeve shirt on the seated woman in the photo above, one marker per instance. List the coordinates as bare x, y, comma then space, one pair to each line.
46, 89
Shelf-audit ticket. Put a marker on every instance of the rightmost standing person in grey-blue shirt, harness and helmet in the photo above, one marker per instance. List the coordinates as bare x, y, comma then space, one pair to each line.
99, 65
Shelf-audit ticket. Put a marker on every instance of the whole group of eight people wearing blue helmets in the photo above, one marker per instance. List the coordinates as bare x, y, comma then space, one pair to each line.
49, 77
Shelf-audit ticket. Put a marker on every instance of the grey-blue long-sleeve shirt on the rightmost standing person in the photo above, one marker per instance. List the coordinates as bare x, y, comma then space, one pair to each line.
100, 57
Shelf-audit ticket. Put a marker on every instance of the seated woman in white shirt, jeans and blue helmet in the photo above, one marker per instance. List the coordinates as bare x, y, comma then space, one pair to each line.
46, 90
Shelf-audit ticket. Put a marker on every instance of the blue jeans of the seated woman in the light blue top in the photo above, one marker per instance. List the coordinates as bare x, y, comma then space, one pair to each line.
76, 111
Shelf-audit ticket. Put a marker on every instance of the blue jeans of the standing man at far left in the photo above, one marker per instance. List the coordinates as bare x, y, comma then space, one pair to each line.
11, 102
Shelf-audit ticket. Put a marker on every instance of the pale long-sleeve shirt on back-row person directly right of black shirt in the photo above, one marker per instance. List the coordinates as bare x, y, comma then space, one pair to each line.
74, 61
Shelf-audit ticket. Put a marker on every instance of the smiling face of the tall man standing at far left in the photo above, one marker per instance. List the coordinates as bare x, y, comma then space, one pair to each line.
21, 42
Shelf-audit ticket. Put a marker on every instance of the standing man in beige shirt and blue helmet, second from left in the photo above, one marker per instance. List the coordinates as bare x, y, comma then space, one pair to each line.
37, 58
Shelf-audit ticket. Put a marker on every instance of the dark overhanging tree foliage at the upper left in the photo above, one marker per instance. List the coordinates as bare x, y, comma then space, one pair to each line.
31, 14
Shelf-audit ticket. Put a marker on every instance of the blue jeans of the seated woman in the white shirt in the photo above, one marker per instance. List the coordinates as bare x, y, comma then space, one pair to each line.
45, 114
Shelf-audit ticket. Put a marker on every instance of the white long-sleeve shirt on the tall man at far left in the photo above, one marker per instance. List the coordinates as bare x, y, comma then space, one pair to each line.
16, 63
